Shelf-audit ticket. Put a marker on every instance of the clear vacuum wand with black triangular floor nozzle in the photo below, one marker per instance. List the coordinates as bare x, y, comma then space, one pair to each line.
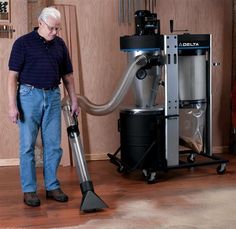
90, 200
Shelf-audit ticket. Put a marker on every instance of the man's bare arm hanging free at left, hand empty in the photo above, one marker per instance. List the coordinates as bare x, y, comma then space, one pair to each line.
14, 114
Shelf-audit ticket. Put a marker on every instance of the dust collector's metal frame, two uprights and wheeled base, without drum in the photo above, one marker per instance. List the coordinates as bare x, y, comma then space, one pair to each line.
173, 156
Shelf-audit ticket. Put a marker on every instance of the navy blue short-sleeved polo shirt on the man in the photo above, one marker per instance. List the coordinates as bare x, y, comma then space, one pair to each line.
40, 63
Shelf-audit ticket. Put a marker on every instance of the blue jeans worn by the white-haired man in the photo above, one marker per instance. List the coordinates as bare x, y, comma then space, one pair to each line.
39, 109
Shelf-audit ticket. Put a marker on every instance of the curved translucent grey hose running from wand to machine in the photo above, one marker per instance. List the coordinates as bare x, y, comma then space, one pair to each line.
117, 96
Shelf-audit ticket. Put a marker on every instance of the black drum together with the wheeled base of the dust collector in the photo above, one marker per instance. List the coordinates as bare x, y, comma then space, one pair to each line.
142, 146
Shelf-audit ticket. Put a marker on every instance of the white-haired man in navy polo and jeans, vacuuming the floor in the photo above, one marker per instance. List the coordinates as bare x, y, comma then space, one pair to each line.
38, 62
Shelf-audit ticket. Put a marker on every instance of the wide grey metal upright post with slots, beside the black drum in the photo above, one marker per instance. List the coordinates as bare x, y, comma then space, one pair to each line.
171, 100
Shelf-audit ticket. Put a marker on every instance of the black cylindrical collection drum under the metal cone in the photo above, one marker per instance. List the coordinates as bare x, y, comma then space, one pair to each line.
142, 136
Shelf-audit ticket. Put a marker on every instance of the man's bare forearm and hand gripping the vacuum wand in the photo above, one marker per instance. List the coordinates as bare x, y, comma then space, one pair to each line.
68, 81
